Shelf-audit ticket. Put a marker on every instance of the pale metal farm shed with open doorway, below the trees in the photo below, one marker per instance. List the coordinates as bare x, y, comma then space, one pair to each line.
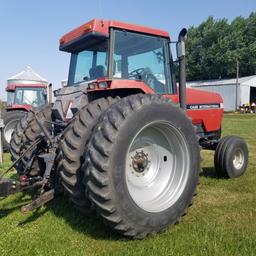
234, 94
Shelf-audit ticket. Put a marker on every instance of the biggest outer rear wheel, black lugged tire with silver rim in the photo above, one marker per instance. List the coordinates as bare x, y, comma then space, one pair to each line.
143, 162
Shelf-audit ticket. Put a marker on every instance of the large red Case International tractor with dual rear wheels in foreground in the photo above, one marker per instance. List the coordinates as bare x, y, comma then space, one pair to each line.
131, 150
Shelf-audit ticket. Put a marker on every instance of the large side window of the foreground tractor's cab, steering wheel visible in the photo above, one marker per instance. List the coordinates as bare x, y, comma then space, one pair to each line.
141, 57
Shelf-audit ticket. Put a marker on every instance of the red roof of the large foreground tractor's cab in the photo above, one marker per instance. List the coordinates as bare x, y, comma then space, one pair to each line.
102, 27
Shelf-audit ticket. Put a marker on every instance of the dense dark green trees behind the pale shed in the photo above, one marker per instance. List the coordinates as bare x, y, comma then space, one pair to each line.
216, 46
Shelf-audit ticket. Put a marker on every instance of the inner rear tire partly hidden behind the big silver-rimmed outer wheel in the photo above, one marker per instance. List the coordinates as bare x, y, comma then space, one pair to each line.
72, 147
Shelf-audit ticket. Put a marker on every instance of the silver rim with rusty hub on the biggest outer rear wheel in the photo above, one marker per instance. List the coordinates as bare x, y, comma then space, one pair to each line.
157, 166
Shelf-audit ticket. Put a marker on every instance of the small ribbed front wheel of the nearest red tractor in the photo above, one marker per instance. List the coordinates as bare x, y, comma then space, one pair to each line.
231, 157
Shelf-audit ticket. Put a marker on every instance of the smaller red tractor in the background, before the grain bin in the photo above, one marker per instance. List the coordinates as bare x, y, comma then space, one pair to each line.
22, 95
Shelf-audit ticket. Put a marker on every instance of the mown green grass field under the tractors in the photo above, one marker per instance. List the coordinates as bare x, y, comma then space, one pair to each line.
222, 220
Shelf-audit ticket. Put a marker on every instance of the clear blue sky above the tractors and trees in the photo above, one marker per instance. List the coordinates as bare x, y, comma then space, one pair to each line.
30, 29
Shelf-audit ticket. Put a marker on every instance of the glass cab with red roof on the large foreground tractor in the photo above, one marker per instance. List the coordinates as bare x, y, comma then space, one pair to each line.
115, 51
